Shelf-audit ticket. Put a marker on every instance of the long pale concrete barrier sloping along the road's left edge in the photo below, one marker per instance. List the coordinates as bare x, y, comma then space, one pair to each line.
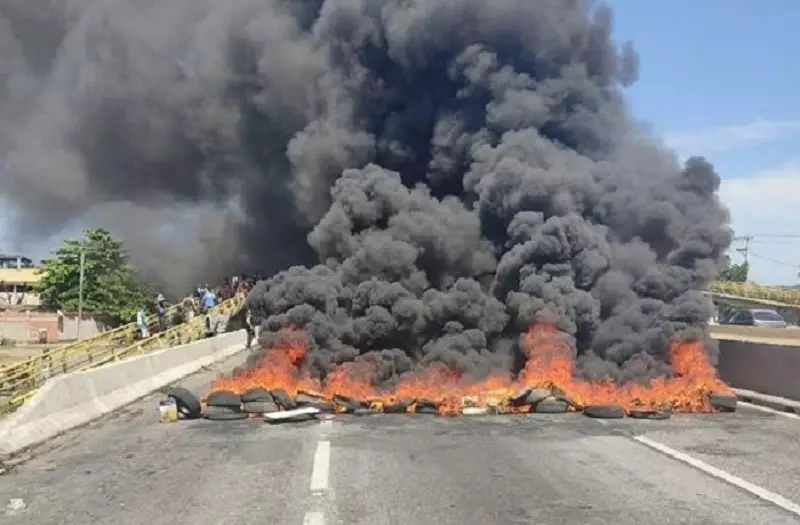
74, 399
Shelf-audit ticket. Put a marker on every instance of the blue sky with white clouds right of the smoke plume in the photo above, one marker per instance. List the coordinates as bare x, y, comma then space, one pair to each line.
721, 78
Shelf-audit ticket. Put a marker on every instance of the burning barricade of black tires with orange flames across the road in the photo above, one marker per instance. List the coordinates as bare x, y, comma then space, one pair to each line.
279, 388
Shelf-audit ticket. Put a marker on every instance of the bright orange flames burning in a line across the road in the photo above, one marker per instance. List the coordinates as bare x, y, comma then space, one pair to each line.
549, 364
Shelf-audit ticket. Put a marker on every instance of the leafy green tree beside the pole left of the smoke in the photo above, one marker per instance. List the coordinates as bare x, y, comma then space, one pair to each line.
111, 285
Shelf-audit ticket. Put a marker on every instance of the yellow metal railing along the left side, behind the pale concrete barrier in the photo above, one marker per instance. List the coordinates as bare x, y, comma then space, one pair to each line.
17, 388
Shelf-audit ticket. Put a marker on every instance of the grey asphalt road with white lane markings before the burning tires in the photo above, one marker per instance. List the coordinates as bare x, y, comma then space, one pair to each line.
413, 469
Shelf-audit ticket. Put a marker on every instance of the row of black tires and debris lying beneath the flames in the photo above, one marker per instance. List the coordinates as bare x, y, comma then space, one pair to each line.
224, 405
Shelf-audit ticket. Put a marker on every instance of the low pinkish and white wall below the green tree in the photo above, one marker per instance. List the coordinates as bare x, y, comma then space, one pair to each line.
23, 326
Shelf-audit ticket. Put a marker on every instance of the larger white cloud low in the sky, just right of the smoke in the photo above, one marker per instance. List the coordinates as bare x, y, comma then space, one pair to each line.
767, 206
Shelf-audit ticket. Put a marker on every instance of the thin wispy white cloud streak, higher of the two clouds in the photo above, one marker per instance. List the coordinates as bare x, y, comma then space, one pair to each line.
728, 138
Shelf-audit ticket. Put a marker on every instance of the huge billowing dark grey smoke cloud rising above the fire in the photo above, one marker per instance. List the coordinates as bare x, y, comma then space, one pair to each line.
465, 168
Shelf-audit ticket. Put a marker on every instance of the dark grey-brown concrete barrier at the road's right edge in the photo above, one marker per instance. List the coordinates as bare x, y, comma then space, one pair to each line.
769, 369
